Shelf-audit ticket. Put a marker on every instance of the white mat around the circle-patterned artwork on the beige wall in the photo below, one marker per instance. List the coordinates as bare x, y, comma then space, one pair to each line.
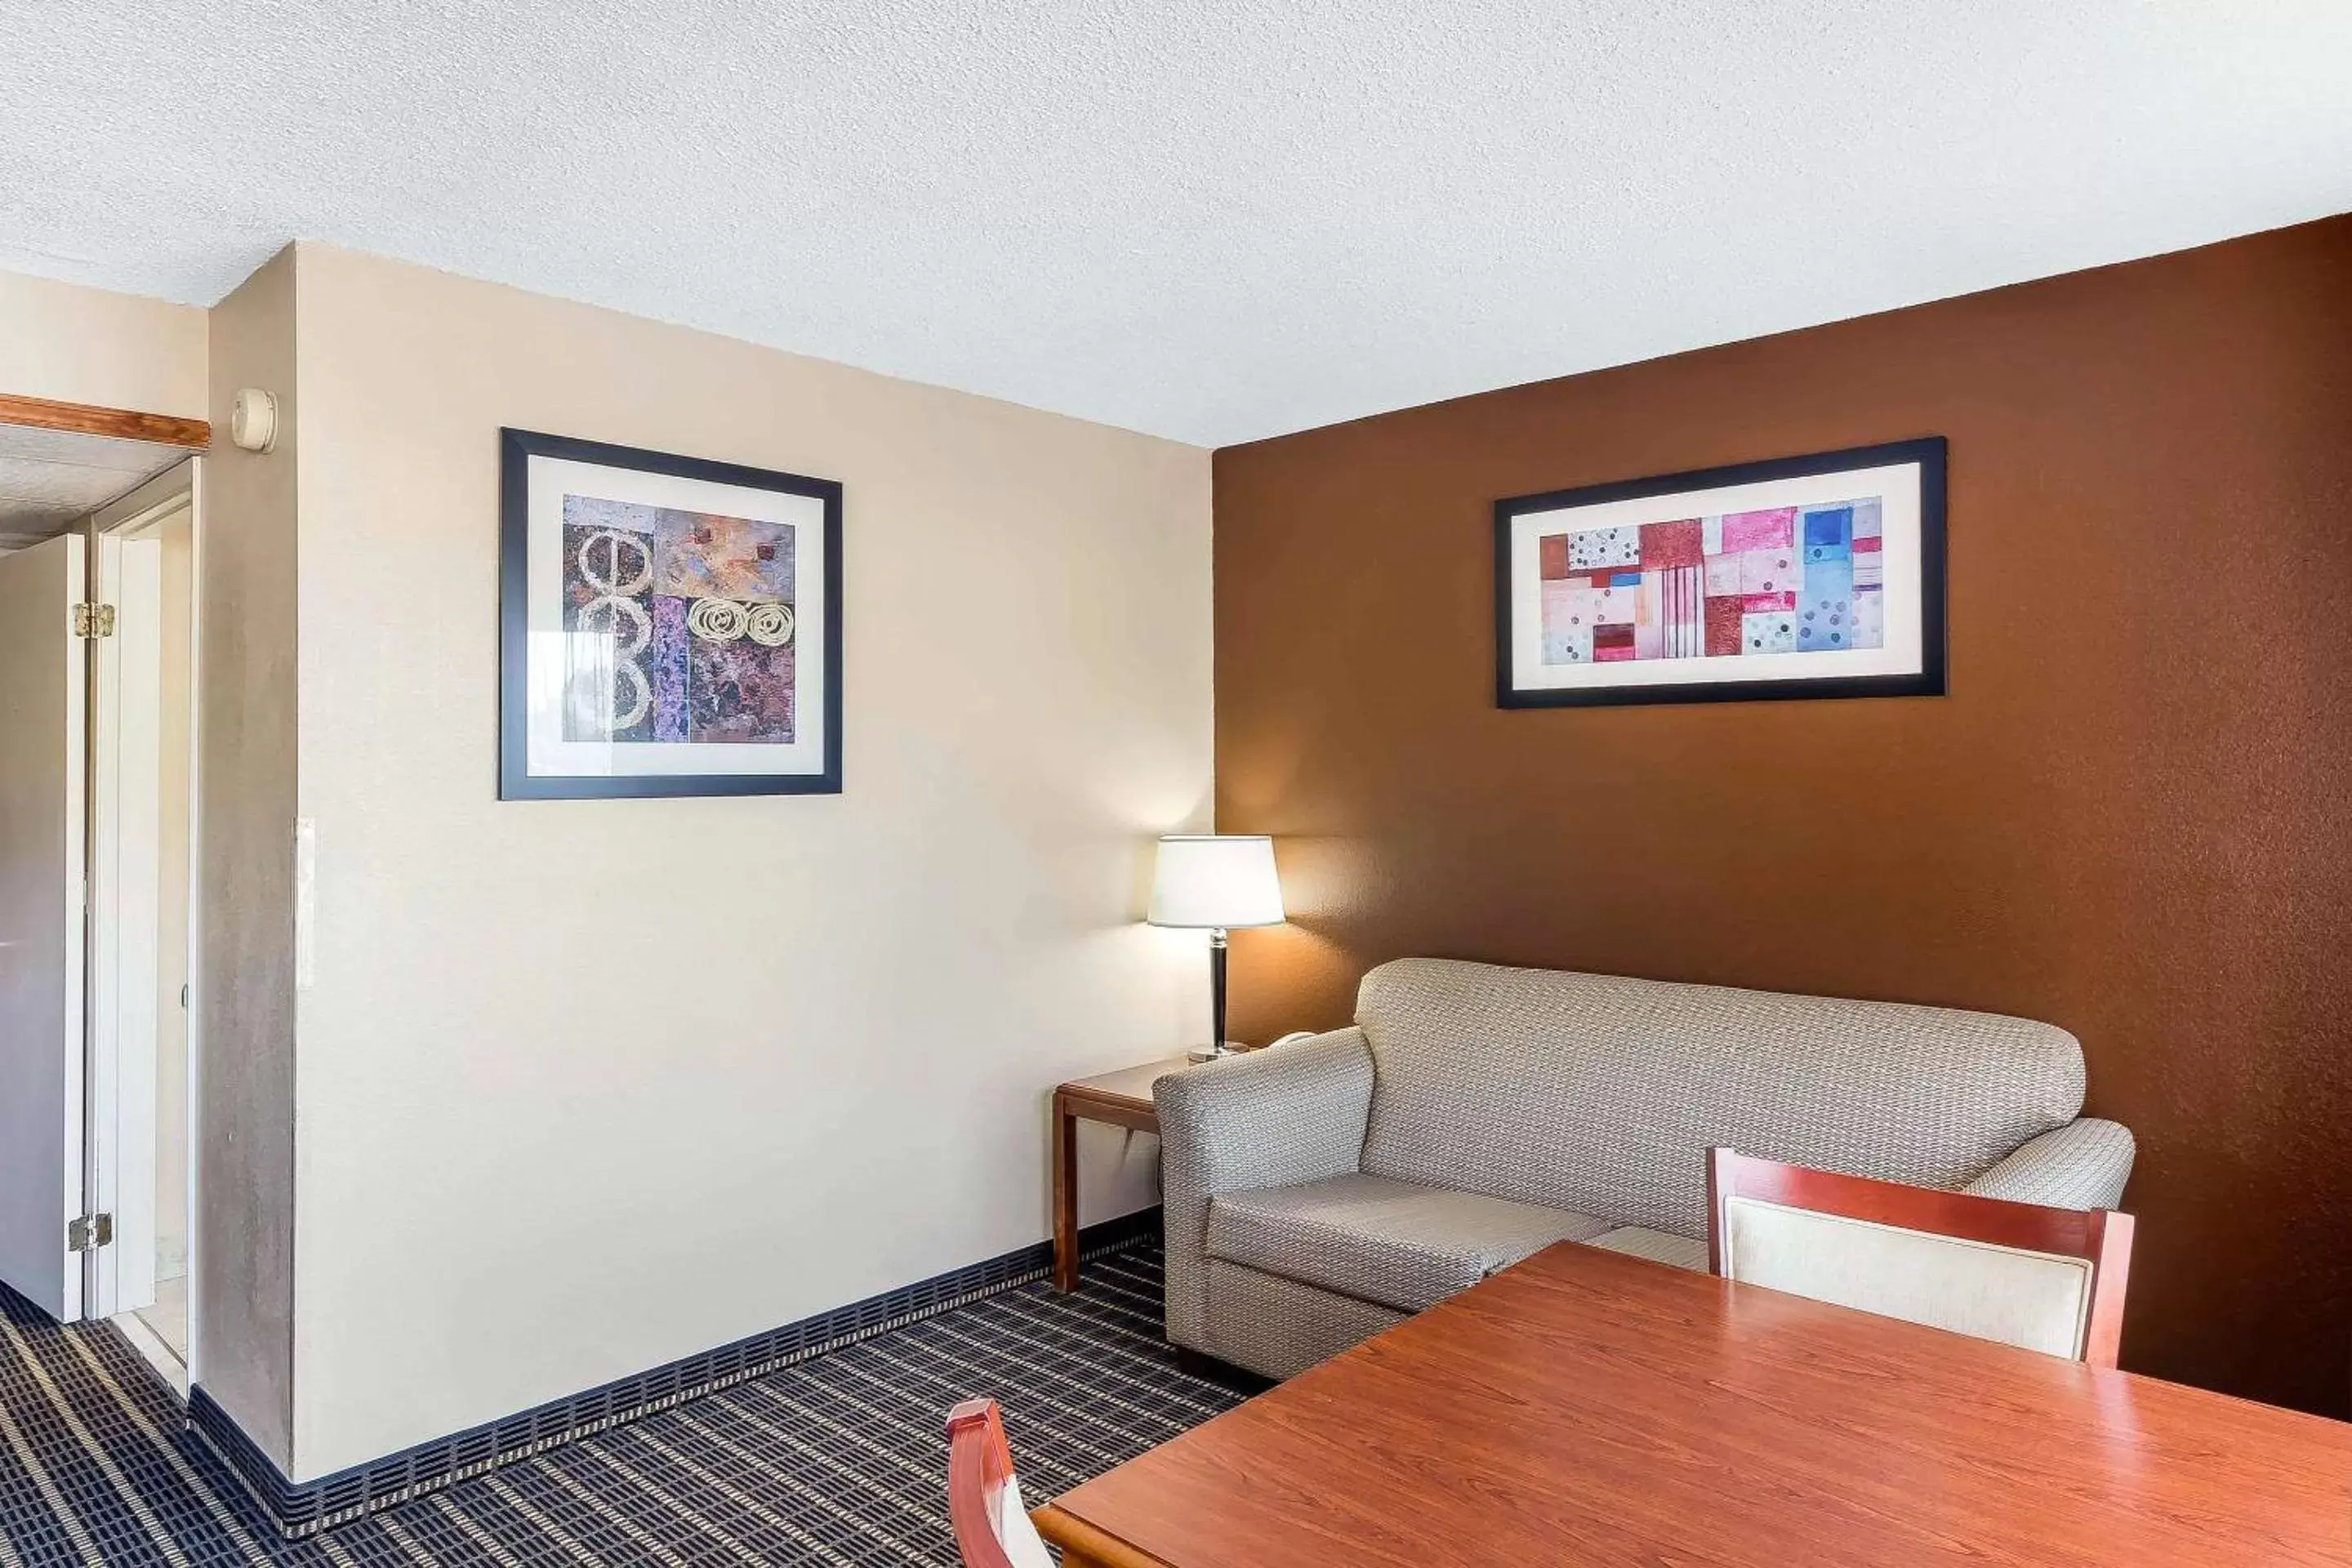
544, 645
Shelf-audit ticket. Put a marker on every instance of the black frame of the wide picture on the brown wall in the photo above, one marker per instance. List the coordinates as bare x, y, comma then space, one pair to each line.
1930, 681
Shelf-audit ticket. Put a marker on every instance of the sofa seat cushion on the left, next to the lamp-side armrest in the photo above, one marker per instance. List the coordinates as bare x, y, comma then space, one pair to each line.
1379, 1240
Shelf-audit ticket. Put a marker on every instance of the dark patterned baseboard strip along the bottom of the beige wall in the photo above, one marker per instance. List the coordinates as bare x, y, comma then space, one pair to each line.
305, 1508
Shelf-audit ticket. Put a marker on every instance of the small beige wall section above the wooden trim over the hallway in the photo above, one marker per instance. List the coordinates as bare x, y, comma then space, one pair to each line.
119, 351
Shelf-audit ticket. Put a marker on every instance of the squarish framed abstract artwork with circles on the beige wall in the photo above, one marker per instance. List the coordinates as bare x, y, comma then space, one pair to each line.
667, 626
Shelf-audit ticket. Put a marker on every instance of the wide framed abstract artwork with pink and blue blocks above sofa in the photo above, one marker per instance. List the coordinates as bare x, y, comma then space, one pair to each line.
1786, 579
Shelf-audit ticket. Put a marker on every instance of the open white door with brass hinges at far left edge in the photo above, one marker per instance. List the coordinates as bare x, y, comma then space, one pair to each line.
44, 711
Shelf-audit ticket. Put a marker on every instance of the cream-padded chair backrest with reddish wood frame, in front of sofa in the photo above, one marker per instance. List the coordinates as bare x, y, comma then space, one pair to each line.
2038, 1278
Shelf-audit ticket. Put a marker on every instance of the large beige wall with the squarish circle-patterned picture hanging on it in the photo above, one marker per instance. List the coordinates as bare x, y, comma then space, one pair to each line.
594, 1085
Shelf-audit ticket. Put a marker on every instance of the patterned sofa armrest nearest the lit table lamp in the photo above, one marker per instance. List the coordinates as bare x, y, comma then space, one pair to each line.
1264, 1120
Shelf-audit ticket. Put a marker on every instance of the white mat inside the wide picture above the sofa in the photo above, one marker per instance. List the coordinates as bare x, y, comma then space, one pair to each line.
1902, 652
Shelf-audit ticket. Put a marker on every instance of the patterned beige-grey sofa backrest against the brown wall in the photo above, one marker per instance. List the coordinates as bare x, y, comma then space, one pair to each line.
1603, 1094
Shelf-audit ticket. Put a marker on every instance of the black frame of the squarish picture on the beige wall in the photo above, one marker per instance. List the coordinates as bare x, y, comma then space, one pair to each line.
516, 782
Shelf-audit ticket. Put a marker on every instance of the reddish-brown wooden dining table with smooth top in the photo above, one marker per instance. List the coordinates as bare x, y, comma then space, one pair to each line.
1589, 1407
